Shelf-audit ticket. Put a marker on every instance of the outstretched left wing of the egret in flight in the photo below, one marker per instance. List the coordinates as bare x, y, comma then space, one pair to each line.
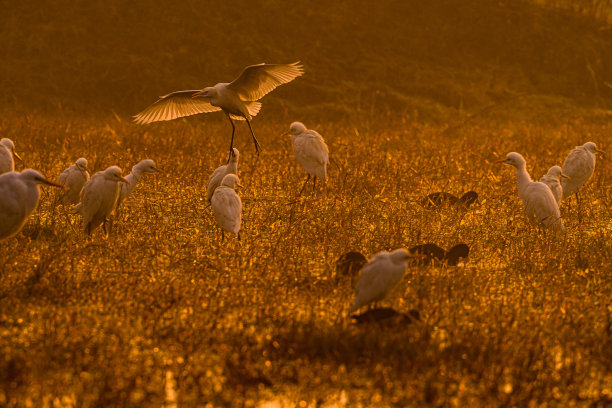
175, 105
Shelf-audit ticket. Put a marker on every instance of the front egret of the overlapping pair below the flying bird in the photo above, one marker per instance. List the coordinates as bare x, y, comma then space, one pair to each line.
227, 206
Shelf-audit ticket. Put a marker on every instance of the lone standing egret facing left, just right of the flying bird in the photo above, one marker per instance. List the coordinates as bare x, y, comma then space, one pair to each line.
310, 151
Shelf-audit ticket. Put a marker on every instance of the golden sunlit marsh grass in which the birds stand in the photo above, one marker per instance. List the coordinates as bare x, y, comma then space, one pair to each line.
163, 312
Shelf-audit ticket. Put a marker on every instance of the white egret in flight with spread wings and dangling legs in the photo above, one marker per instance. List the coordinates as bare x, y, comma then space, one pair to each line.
237, 99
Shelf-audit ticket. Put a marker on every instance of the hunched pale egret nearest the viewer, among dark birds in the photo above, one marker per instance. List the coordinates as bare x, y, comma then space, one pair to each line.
379, 276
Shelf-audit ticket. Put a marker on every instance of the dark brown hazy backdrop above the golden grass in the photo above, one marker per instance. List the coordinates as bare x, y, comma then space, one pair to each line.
427, 60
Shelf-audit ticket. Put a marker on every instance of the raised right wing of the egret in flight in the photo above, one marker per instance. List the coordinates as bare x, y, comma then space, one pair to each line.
255, 81
